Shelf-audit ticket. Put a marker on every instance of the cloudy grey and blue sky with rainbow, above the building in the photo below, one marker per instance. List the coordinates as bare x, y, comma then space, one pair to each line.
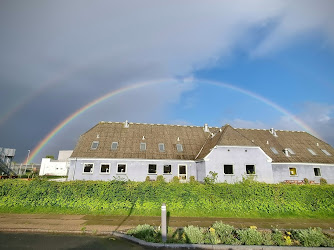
67, 65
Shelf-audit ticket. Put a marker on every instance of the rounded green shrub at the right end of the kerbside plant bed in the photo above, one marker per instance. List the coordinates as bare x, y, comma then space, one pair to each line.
311, 237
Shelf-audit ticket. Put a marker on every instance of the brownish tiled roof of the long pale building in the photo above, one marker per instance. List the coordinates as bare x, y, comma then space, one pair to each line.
196, 143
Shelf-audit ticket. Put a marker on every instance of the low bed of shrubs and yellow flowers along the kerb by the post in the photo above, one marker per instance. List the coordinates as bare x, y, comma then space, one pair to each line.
220, 233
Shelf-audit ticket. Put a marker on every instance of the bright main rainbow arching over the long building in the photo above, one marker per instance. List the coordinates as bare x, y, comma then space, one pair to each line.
51, 134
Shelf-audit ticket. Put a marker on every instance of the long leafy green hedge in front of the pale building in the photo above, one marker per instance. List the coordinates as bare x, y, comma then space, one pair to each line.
189, 199
